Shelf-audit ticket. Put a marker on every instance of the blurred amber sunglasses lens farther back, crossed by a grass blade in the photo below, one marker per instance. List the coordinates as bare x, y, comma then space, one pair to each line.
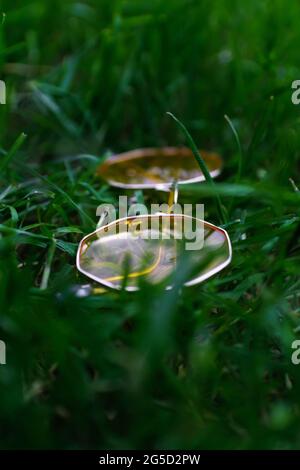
156, 168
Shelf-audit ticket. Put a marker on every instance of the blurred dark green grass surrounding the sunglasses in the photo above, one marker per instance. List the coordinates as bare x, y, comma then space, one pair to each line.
204, 367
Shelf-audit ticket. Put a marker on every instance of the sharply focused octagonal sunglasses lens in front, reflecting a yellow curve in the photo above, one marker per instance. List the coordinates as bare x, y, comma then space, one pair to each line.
149, 248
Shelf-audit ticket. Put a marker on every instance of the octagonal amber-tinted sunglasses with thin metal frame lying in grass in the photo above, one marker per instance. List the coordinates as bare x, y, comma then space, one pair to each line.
148, 247
